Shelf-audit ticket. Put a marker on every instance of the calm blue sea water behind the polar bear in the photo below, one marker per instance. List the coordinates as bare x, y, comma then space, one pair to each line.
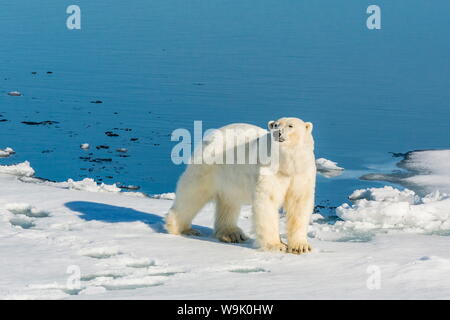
158, 65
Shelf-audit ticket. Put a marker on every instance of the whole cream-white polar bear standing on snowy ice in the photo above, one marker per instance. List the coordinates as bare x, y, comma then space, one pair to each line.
290, 185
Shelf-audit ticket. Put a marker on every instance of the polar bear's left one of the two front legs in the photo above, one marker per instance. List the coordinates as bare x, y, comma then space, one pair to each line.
266, 222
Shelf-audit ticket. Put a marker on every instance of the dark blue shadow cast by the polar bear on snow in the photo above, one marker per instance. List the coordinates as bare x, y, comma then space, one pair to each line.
113, 214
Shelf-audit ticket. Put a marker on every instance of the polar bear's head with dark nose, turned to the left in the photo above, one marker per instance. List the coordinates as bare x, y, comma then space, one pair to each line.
292, 132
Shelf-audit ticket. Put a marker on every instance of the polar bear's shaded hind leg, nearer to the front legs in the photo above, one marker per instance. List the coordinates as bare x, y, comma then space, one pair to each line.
225, 225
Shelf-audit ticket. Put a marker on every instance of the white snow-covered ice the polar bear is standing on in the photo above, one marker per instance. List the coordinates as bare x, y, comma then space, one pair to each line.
50, 232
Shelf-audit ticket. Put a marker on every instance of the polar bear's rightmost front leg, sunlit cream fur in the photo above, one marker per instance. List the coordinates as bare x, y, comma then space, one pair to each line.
299, 210
